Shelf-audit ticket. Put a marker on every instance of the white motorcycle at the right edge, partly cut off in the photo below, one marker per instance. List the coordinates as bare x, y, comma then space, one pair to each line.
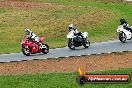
124, 34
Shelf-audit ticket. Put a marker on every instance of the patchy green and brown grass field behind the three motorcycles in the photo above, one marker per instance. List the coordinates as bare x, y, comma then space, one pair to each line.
99, 19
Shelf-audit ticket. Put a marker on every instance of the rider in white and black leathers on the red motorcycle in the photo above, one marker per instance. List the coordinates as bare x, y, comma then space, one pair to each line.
33, 37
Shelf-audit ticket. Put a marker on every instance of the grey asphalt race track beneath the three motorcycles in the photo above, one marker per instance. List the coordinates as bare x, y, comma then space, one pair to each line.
95, 48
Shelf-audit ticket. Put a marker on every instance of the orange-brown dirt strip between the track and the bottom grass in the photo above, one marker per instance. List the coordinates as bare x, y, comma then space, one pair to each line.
91, 63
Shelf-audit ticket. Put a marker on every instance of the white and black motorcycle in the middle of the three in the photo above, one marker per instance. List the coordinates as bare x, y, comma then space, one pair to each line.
76, 41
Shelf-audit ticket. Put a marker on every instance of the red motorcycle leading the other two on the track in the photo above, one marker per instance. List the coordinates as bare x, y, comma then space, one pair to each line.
31, 47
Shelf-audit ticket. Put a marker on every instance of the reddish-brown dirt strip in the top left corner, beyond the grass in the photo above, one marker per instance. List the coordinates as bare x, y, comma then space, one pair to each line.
27, 4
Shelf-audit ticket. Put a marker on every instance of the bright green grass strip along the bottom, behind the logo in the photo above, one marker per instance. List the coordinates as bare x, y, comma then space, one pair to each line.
58, 80
